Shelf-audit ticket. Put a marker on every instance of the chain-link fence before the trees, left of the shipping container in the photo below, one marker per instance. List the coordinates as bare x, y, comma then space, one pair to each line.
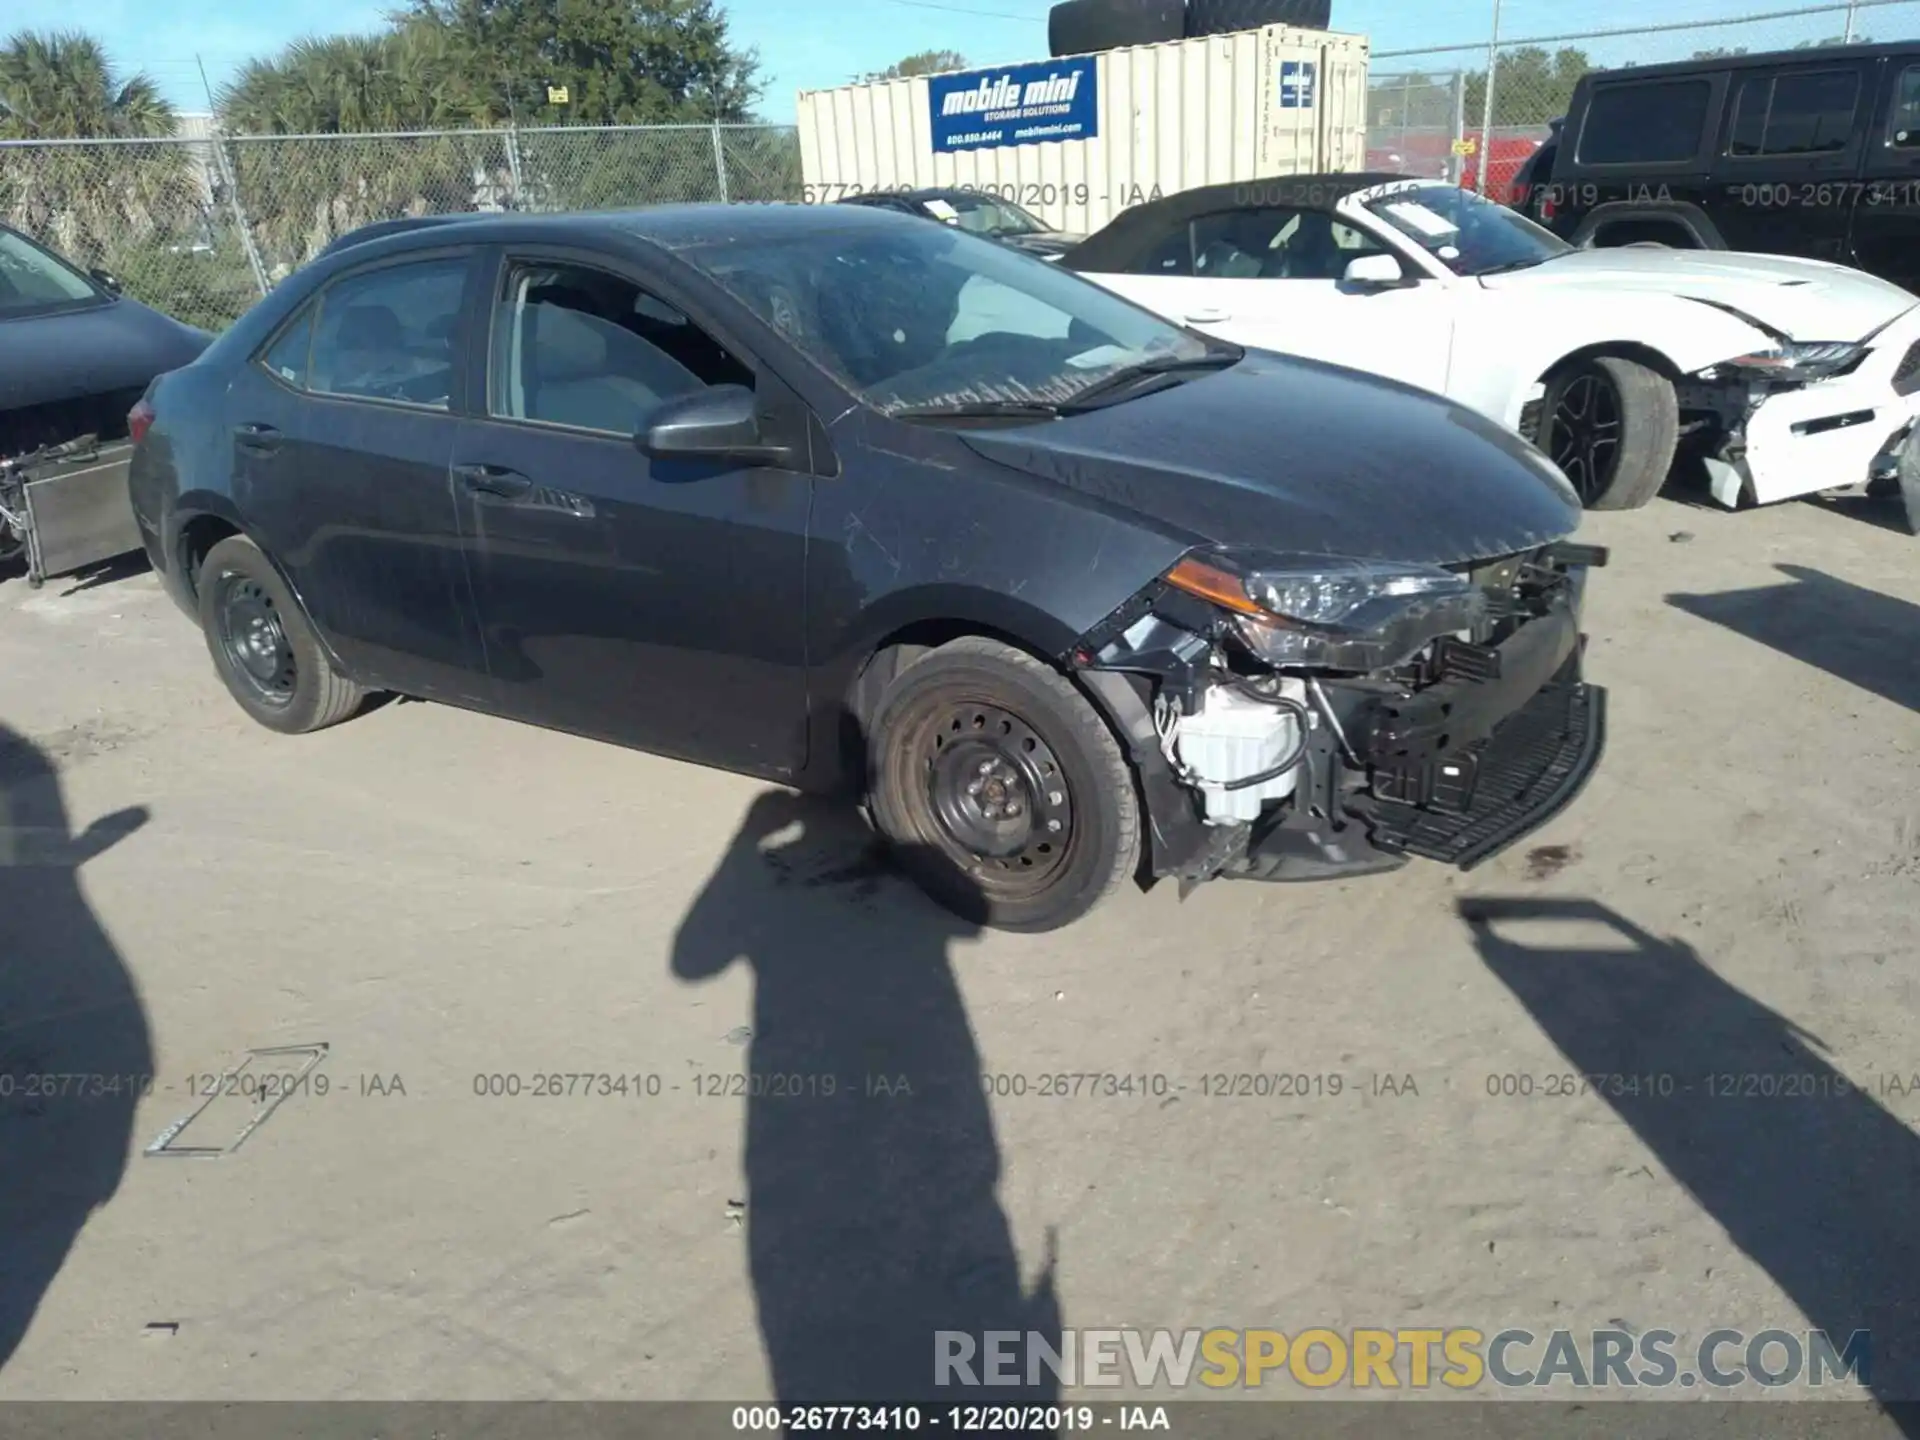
204, 228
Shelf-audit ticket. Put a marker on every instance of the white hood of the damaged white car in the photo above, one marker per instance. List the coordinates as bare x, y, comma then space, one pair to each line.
1800, 299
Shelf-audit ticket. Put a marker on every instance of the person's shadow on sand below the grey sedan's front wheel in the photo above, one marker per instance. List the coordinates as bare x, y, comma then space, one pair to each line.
873, 1212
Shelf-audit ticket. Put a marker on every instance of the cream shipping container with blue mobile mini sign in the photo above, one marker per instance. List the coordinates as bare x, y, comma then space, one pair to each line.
1080, 139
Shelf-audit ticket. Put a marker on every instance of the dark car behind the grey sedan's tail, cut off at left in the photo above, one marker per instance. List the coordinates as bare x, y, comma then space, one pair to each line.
76, 354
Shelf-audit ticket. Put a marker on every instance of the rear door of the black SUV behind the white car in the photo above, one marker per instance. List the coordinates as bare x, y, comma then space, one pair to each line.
1788, 156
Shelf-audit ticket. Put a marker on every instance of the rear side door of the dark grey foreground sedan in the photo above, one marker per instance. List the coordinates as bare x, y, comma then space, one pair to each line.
343, 433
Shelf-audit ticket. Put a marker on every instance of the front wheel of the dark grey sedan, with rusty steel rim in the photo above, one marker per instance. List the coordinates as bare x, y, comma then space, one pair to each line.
1059, 823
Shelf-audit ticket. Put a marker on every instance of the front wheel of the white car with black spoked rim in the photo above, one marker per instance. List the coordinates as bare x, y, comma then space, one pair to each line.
1612, 427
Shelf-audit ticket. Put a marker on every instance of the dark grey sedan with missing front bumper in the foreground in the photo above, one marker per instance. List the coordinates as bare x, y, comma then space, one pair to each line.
855, 502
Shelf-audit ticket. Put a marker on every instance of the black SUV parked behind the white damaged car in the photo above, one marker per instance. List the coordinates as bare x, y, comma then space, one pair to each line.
1798, 153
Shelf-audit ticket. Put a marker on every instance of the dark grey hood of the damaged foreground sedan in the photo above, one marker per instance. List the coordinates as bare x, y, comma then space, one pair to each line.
1297, 456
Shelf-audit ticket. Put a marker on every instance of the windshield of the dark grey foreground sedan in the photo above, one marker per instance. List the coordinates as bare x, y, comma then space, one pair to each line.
926, 318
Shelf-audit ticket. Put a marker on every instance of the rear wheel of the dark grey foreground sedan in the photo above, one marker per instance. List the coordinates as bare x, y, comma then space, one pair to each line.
285, 683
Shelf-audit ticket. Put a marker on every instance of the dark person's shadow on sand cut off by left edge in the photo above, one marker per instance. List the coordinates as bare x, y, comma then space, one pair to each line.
74, 1040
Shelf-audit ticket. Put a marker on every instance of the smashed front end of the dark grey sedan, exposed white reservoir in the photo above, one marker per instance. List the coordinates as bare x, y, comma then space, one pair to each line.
1312, 719
